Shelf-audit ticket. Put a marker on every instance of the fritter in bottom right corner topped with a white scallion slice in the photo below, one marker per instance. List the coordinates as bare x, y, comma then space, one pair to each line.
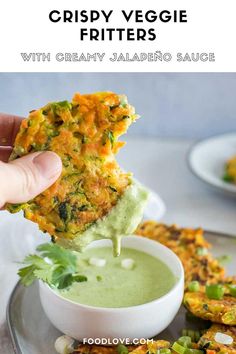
211, 341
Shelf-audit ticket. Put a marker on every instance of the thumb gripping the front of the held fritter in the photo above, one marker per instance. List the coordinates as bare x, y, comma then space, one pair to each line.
28, 176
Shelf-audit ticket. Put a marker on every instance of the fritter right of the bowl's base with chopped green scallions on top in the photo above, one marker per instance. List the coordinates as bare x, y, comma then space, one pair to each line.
219, 311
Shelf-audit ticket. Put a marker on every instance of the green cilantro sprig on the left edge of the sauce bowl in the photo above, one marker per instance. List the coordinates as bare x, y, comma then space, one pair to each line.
53, 265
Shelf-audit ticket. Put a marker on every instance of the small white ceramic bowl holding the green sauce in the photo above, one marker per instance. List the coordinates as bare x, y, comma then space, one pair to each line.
142, 321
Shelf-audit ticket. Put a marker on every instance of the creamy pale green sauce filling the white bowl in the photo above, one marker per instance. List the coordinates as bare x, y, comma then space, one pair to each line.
115, 286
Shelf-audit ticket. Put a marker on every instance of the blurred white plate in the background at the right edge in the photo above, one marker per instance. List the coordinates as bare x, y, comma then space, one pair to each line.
207, 159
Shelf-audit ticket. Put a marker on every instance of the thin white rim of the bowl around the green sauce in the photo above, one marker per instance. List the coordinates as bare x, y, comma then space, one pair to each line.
179, 281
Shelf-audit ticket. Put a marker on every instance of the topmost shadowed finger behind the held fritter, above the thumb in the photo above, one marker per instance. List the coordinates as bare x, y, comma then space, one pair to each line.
9, 126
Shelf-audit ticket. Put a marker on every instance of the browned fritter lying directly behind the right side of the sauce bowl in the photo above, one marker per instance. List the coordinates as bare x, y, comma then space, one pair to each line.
190, 246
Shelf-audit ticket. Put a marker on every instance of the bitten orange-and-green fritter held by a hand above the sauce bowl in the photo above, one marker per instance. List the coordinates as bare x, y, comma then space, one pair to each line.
84, 133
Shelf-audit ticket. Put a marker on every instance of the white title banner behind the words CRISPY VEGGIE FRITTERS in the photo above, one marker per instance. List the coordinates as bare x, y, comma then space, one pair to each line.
211, 28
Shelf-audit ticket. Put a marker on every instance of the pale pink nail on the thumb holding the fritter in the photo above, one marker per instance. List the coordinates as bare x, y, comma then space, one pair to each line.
48, 163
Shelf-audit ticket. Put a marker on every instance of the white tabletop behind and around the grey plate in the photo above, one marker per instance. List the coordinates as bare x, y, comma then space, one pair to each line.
161, 165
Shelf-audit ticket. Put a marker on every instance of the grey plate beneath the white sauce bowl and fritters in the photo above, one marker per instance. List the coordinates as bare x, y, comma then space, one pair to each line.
31, 331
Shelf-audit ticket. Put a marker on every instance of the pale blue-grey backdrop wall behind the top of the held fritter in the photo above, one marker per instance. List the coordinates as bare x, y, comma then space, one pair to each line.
188, 105
